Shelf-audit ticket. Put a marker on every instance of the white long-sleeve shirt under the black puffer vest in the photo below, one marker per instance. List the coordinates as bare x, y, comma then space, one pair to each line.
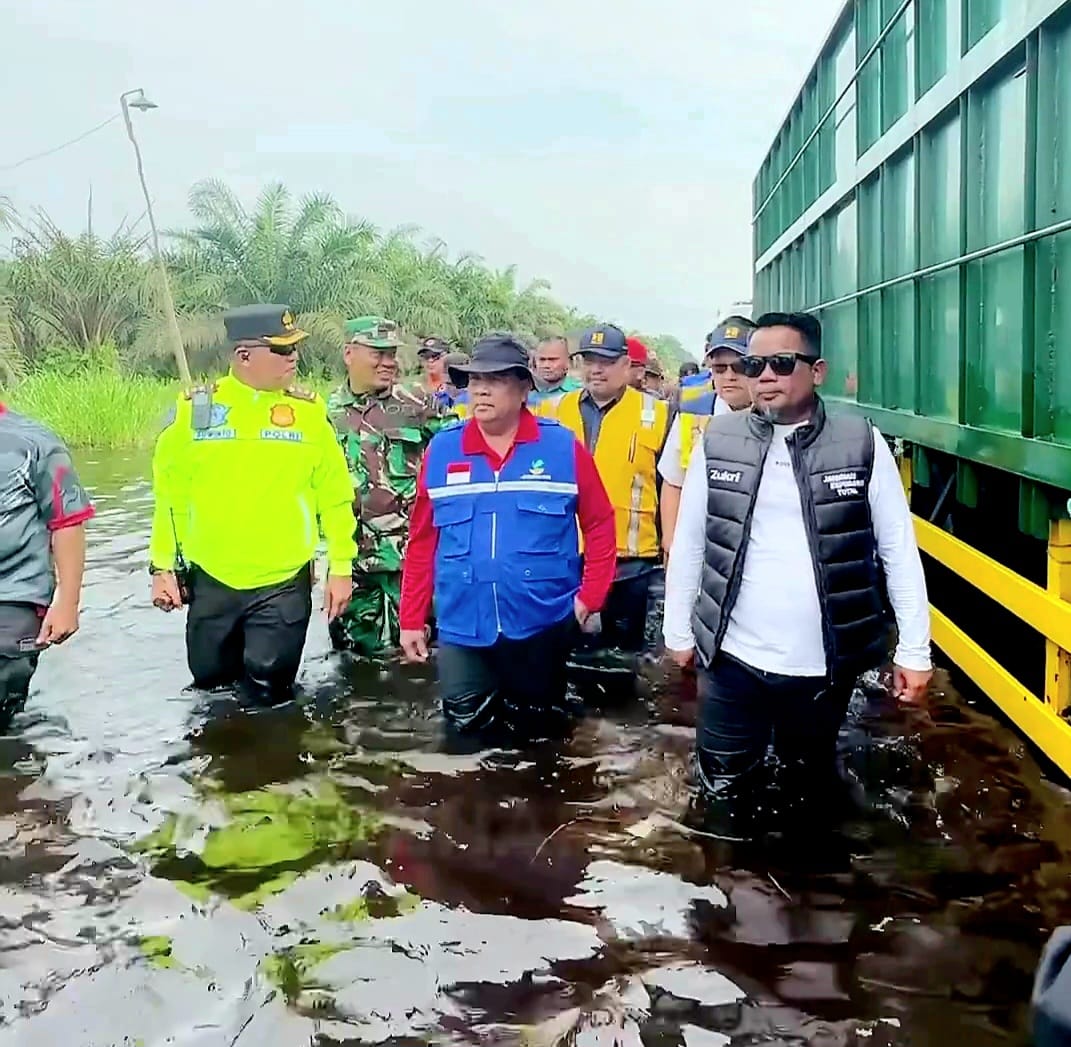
776, 624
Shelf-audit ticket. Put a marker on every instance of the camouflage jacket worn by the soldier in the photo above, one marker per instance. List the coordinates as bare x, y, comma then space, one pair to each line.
384, 438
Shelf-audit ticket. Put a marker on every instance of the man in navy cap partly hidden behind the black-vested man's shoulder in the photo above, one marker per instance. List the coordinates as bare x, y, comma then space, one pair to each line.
717, 391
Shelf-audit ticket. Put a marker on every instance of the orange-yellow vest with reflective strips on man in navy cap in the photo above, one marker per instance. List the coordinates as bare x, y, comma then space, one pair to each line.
627, 454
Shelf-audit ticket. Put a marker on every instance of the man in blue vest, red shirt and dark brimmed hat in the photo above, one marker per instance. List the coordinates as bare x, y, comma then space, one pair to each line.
494, 535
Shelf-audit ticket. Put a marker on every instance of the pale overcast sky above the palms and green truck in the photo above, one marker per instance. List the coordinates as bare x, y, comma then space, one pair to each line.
606, 145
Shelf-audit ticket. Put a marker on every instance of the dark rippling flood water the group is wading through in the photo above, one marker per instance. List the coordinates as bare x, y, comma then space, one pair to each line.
175, 870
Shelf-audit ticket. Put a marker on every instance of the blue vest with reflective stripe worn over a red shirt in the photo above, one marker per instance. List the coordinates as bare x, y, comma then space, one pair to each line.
508, 562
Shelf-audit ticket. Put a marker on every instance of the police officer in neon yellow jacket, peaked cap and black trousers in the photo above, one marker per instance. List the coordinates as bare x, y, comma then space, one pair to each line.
247, 474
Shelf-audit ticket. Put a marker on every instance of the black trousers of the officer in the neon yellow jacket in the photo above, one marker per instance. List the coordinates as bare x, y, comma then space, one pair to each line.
249, 636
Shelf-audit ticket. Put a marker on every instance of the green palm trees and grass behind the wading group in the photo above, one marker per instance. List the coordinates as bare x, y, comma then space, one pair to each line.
83, 338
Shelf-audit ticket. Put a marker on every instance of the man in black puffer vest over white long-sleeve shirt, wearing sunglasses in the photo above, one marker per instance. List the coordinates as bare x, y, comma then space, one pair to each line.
793, 525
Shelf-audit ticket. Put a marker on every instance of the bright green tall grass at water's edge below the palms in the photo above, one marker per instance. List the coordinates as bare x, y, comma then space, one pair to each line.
96, 408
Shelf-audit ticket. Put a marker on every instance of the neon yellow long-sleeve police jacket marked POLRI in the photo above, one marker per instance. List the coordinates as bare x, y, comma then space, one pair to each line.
244, 495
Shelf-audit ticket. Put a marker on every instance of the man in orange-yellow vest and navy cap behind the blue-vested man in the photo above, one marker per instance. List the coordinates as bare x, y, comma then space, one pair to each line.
625, 430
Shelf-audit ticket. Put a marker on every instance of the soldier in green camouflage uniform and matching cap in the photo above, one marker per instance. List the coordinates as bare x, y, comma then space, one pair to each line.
384, 430
